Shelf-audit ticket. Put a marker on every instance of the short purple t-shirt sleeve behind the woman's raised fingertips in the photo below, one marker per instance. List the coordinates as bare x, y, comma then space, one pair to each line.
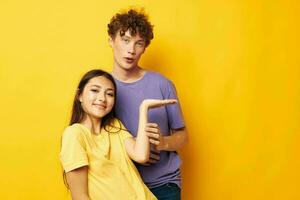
174, 111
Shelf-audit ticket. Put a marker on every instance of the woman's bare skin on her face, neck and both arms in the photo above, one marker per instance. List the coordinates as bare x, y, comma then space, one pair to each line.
97, 100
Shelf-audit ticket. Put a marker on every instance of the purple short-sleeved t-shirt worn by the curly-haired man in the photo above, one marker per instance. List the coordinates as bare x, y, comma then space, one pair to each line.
129, 97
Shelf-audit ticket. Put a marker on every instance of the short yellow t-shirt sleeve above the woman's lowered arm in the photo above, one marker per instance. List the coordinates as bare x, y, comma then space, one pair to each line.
73, 149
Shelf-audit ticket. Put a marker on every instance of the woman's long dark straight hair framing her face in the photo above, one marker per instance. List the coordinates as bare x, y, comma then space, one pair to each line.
78, 113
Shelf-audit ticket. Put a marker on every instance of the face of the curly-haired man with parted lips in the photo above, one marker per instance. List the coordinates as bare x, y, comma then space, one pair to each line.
127, 50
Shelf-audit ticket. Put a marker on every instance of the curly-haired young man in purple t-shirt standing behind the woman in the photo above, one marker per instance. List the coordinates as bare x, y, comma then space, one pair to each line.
130, 33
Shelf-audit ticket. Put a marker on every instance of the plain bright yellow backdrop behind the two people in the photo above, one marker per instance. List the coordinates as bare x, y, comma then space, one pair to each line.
236, 66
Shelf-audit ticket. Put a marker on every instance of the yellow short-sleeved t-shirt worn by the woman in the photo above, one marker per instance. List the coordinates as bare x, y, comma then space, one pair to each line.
111, 173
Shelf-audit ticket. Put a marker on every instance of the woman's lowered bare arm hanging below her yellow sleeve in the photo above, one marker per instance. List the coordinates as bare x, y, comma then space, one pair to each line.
78, 183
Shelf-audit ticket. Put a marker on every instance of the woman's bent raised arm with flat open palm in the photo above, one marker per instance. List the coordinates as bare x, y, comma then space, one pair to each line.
138, 149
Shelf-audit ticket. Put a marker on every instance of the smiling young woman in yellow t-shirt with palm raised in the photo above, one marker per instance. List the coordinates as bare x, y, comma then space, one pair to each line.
96, 149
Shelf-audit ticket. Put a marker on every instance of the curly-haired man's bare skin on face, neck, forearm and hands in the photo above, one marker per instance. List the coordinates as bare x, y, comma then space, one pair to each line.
129, 46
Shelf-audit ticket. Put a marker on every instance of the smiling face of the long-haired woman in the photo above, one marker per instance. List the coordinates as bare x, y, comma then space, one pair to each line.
98, 97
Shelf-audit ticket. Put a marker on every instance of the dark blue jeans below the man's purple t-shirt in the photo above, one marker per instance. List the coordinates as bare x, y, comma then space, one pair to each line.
169, 191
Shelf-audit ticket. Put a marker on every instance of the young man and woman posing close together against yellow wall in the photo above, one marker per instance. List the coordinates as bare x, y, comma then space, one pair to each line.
125, 128
